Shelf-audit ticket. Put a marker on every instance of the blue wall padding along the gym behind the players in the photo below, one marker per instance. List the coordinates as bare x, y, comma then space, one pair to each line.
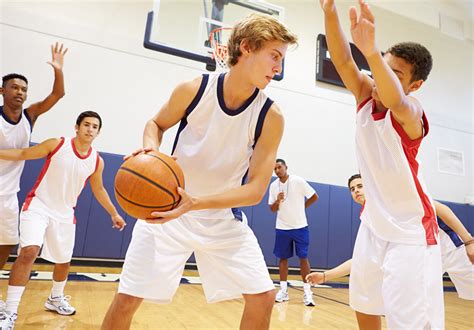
333, 221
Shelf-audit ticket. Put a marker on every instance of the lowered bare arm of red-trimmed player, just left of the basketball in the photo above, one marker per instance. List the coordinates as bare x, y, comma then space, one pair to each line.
103, 197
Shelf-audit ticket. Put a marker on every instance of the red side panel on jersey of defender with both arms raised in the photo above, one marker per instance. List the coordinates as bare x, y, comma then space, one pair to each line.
410, 148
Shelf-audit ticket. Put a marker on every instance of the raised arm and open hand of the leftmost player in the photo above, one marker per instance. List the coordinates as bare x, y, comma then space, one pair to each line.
57, 62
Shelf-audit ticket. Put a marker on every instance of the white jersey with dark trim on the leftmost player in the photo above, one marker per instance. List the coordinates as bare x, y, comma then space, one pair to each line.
13, 136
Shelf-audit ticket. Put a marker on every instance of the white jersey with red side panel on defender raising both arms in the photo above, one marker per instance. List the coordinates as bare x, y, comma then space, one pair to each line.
398, 207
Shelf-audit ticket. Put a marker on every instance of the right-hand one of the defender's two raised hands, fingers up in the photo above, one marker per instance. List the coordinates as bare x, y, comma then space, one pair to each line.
363, 29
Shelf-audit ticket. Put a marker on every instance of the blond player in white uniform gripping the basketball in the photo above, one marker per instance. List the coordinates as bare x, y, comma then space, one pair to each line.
226, 144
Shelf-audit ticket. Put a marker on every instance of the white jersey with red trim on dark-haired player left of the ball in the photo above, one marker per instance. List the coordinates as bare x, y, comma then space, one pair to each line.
61, 180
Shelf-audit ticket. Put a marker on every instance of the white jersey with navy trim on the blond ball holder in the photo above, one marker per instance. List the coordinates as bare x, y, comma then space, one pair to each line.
214, 144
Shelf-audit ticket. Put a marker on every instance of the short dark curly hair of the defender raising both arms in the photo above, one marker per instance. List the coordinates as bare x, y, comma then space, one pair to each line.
415, 54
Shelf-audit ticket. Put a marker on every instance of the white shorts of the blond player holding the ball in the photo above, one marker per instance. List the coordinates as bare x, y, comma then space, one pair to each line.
229, 259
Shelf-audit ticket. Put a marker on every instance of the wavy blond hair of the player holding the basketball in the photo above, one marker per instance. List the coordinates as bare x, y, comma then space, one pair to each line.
256, 29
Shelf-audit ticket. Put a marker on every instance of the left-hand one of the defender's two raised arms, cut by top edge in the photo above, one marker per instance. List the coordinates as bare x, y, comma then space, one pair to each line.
358, 83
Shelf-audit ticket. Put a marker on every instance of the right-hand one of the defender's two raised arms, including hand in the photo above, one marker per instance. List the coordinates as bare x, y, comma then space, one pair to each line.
406, 109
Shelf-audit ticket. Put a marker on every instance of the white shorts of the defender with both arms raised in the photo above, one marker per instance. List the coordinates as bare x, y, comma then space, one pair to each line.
402, 282
